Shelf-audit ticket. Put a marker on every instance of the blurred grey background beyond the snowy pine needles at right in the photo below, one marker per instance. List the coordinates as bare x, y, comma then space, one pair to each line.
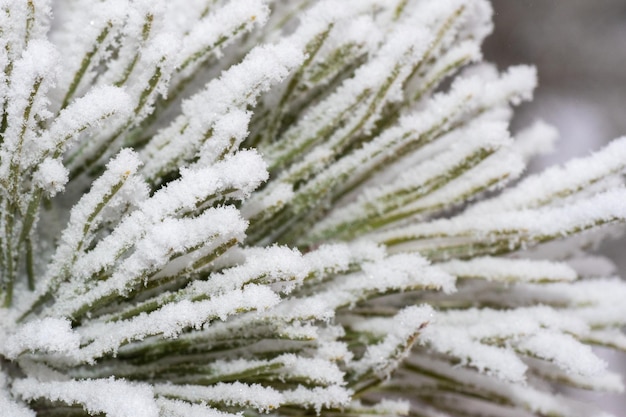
579, 48
